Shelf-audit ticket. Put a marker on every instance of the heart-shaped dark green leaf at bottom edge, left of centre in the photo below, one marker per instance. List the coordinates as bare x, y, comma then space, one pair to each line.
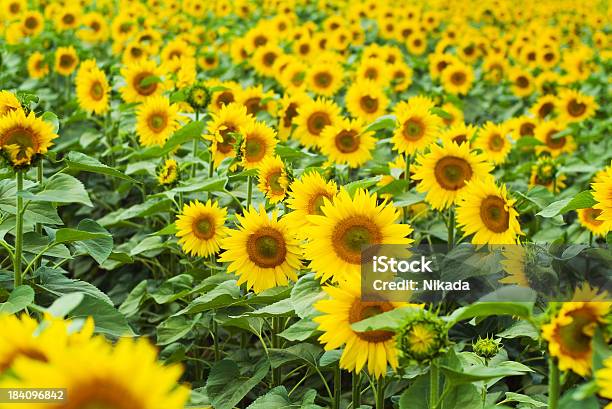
226, 385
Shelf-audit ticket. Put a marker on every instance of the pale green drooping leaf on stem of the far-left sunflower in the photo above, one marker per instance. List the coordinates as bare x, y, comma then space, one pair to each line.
61, 188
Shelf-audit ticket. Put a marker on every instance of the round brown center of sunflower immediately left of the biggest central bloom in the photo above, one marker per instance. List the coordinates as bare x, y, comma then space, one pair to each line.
267, 248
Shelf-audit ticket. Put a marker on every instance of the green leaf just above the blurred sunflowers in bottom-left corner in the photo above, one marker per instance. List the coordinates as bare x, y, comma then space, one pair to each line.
107, 319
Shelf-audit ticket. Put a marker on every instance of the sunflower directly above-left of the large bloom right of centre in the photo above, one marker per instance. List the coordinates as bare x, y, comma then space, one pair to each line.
417, 129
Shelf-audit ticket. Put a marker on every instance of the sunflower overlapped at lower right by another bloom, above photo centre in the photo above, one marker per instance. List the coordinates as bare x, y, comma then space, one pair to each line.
312, 119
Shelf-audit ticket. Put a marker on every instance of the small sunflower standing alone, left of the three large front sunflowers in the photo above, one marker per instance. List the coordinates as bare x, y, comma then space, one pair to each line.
201, 227
